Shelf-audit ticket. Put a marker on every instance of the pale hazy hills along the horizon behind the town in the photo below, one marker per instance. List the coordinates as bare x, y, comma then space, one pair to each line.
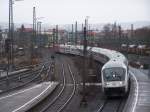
99, 26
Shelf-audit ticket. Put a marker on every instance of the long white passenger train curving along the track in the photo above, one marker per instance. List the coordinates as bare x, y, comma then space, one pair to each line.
114, 73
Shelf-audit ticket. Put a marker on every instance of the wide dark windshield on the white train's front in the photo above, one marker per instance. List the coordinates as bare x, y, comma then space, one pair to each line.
114, 74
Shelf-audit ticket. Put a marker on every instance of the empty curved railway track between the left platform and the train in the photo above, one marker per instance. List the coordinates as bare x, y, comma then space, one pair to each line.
68, 88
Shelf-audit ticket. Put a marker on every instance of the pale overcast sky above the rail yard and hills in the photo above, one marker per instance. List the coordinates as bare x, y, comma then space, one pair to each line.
68, 11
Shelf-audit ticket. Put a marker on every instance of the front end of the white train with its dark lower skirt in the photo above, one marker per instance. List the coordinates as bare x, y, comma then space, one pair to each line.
115, 79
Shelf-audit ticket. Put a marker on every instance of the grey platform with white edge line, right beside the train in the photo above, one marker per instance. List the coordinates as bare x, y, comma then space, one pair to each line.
139, 98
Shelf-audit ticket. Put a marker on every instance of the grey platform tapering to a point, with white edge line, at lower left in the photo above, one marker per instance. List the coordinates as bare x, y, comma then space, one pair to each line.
25, 99
